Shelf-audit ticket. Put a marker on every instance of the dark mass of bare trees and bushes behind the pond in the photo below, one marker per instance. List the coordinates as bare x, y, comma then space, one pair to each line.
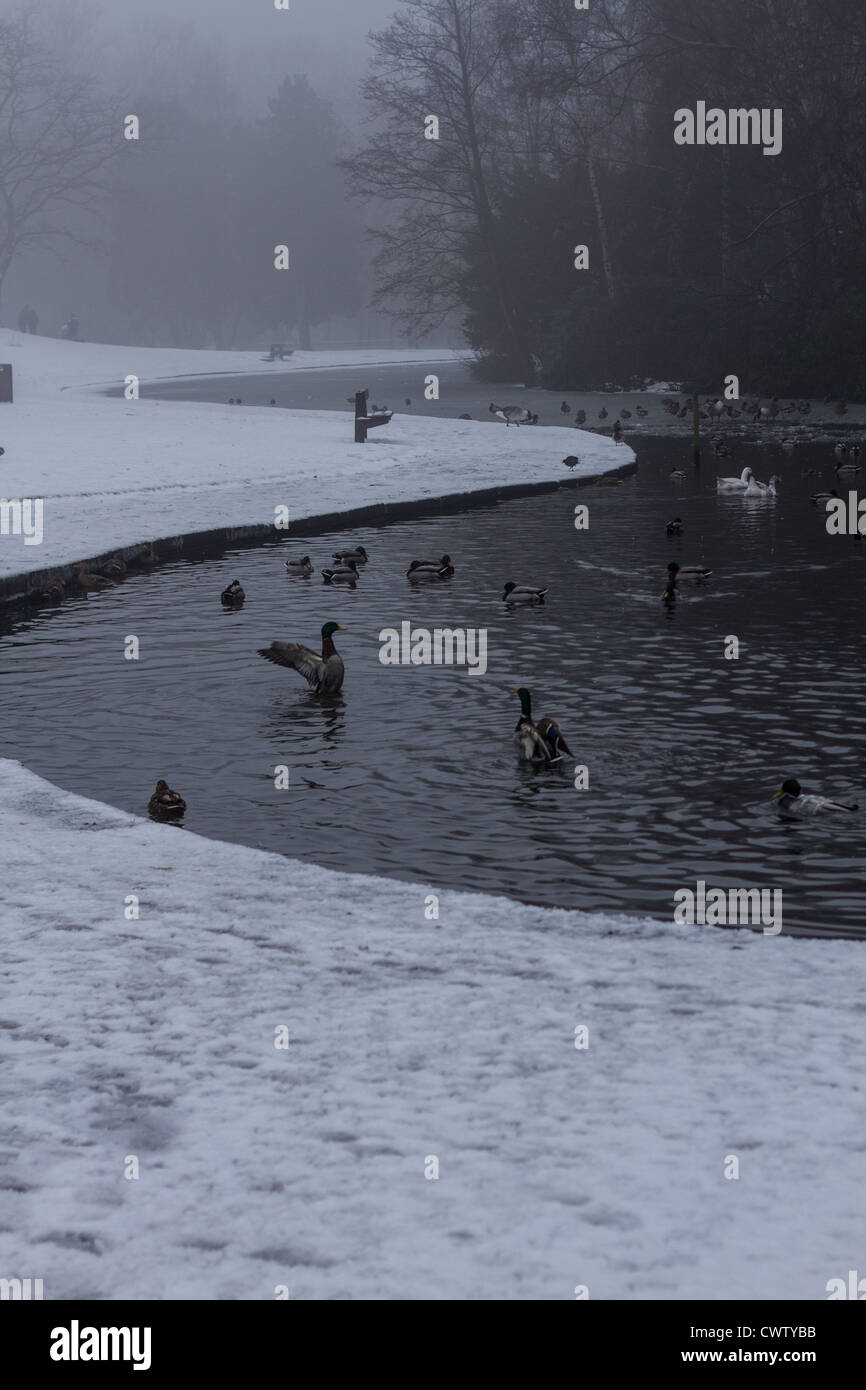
557, 130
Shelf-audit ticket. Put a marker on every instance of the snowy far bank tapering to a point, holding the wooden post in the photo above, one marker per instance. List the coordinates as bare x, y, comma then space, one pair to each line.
116, 472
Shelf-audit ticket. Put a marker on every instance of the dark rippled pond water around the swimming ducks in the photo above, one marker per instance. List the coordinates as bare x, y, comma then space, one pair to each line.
412, 774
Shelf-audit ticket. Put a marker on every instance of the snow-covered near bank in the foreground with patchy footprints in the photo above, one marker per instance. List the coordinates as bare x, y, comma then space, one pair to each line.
154, 1039
